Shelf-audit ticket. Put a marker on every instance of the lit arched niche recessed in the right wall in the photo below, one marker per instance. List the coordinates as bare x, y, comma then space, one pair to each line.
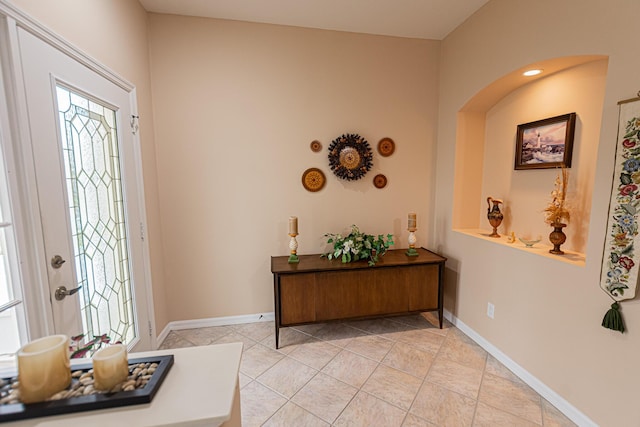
485, 150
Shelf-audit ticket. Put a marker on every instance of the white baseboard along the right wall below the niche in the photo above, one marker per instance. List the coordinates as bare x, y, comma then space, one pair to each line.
542, 389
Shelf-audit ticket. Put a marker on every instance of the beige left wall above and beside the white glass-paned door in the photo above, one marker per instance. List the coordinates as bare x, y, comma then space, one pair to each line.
114, 32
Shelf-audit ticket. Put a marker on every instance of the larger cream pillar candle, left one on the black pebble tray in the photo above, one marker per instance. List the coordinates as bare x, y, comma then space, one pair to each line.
43, 368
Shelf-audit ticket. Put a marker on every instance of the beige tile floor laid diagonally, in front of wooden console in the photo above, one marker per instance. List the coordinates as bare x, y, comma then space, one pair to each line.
401, 371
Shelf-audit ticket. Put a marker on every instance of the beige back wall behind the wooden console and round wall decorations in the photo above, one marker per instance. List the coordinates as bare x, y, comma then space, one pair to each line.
236, 107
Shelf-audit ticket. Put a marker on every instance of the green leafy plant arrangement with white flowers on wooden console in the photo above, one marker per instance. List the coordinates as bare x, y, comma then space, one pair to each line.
358, 246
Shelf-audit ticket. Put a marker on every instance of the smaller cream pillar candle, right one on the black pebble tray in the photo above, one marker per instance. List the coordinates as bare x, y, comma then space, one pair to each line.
110, 366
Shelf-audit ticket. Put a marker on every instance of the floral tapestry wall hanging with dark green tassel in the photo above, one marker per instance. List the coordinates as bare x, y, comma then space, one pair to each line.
621, 260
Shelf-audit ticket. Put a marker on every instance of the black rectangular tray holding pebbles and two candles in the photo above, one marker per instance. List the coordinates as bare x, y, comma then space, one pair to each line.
21, 411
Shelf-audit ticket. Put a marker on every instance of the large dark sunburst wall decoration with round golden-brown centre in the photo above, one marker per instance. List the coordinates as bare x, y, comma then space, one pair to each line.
350, 157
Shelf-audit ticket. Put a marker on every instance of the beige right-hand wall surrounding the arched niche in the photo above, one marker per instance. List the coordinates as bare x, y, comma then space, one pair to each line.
548, 312
